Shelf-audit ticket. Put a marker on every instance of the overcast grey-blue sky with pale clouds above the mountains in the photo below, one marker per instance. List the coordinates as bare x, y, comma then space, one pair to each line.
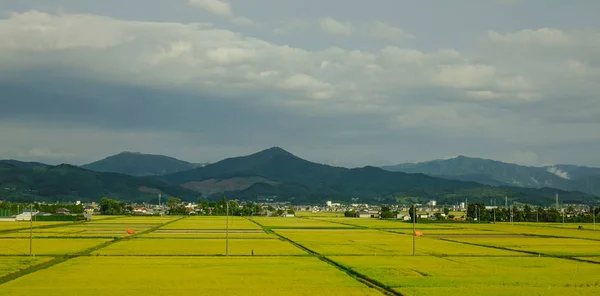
342, 82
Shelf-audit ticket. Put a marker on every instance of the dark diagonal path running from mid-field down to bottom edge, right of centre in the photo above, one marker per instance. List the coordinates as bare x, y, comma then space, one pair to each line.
350, 272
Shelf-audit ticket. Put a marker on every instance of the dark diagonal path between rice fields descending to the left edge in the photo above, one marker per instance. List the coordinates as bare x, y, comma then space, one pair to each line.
60, 259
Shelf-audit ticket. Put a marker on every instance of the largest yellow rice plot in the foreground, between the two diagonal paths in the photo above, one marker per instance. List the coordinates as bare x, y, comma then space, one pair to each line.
188, 276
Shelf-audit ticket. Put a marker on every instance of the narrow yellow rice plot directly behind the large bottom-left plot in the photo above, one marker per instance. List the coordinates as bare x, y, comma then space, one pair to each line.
141, 246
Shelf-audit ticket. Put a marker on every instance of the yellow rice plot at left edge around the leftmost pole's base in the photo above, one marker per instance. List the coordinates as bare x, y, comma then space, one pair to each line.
47, 246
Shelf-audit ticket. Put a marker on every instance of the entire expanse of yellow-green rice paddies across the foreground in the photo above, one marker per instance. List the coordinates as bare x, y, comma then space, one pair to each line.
308, 255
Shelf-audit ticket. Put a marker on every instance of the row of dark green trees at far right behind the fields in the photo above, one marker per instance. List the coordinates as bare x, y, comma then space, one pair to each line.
530, 214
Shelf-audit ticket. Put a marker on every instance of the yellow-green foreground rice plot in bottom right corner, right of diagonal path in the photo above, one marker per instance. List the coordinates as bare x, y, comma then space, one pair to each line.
500, 275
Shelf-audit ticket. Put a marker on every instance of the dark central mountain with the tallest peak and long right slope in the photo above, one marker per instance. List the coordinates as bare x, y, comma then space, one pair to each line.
288, 177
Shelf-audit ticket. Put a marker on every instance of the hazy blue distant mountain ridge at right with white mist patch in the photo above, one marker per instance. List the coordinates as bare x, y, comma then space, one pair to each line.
496, 173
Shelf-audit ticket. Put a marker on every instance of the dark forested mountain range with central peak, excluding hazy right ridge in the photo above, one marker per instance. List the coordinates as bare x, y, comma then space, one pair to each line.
272, 174
